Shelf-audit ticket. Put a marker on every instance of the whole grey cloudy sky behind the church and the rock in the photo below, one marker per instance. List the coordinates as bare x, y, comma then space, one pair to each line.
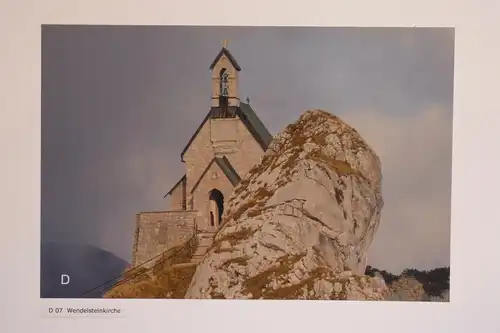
119, 103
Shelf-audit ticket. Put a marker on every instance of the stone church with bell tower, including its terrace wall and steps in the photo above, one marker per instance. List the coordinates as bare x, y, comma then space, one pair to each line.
230, 140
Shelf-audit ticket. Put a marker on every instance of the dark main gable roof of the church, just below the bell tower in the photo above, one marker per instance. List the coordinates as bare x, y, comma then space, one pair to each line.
248, 116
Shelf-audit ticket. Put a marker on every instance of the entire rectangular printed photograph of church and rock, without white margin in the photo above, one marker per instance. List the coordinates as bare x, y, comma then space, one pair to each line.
246, 162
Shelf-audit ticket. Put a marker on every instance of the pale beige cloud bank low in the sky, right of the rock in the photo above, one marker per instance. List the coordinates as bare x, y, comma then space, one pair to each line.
415, 152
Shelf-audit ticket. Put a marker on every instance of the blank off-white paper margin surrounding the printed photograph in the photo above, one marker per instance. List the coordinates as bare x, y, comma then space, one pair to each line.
474, 172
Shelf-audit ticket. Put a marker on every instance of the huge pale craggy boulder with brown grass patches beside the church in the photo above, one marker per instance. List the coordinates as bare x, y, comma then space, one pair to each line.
299, 225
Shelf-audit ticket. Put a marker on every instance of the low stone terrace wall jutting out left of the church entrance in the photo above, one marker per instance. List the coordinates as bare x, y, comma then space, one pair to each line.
156, 232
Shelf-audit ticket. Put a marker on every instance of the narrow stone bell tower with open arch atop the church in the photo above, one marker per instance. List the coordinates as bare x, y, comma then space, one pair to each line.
225, 70
